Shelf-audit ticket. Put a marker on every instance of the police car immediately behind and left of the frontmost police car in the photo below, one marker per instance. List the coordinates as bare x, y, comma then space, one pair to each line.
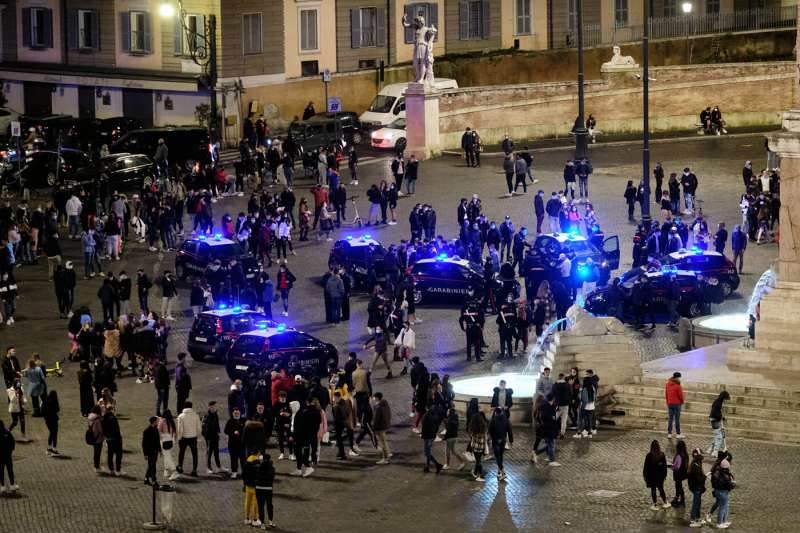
213, 332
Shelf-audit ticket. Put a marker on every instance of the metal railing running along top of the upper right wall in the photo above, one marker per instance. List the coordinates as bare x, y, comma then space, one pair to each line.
686, 26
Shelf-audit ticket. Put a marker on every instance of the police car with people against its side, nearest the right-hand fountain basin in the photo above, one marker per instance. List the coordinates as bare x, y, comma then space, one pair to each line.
604, 300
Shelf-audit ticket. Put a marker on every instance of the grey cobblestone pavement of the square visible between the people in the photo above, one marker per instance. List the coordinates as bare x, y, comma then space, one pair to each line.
65, 495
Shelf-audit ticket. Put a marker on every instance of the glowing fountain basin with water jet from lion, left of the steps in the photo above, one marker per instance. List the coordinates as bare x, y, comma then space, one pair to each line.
523, 383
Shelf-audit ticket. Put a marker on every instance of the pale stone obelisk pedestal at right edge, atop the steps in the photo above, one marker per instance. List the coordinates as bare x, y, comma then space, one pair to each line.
777, 343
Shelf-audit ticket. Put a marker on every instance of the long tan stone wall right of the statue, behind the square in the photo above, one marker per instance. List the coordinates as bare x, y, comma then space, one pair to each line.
747, 93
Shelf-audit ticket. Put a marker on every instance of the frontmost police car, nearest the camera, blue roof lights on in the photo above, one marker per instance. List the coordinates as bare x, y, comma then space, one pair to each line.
270, 345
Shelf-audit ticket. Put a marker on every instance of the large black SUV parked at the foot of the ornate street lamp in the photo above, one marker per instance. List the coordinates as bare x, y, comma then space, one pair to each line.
185, 144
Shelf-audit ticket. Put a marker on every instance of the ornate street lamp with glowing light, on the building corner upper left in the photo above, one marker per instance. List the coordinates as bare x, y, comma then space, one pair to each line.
203, 51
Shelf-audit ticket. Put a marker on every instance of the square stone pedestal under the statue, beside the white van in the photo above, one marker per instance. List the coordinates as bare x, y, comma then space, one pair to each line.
422, 121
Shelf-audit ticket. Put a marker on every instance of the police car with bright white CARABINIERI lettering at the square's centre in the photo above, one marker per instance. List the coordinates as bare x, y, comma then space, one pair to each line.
444, 279
